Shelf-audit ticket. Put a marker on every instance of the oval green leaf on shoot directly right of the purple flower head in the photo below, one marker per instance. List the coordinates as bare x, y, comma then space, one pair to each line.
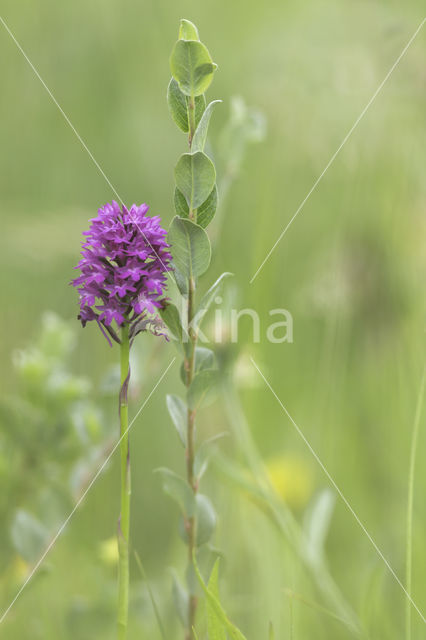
190, 247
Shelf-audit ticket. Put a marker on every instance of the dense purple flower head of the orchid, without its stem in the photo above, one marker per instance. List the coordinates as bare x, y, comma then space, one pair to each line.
123, 270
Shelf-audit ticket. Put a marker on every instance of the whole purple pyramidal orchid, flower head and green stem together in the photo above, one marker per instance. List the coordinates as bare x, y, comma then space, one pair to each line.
124, 264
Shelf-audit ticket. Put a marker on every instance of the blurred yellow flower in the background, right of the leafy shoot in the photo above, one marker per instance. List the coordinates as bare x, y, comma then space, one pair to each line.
292, 479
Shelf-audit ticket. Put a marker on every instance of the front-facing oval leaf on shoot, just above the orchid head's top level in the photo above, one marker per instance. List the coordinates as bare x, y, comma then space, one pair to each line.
195, 177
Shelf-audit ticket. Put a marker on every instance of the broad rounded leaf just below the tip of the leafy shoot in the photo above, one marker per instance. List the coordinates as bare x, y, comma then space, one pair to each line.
192, 67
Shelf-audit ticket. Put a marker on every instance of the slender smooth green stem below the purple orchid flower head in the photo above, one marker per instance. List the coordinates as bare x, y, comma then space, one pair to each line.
124, 520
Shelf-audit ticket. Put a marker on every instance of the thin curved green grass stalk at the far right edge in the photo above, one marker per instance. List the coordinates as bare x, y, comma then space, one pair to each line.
410, 500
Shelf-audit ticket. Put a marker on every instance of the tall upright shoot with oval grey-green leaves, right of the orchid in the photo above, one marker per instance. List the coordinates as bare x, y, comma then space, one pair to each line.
195, 202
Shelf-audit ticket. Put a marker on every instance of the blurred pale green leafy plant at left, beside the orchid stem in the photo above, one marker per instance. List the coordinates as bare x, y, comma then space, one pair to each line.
49, 440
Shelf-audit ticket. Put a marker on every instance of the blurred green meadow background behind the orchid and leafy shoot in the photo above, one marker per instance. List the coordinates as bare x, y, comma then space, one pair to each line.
351, 270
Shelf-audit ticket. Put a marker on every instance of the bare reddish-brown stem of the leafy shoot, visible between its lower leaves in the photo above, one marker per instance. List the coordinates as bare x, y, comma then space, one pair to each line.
190, 454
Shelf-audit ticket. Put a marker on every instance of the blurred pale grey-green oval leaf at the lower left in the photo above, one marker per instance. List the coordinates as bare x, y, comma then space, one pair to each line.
30, 538
